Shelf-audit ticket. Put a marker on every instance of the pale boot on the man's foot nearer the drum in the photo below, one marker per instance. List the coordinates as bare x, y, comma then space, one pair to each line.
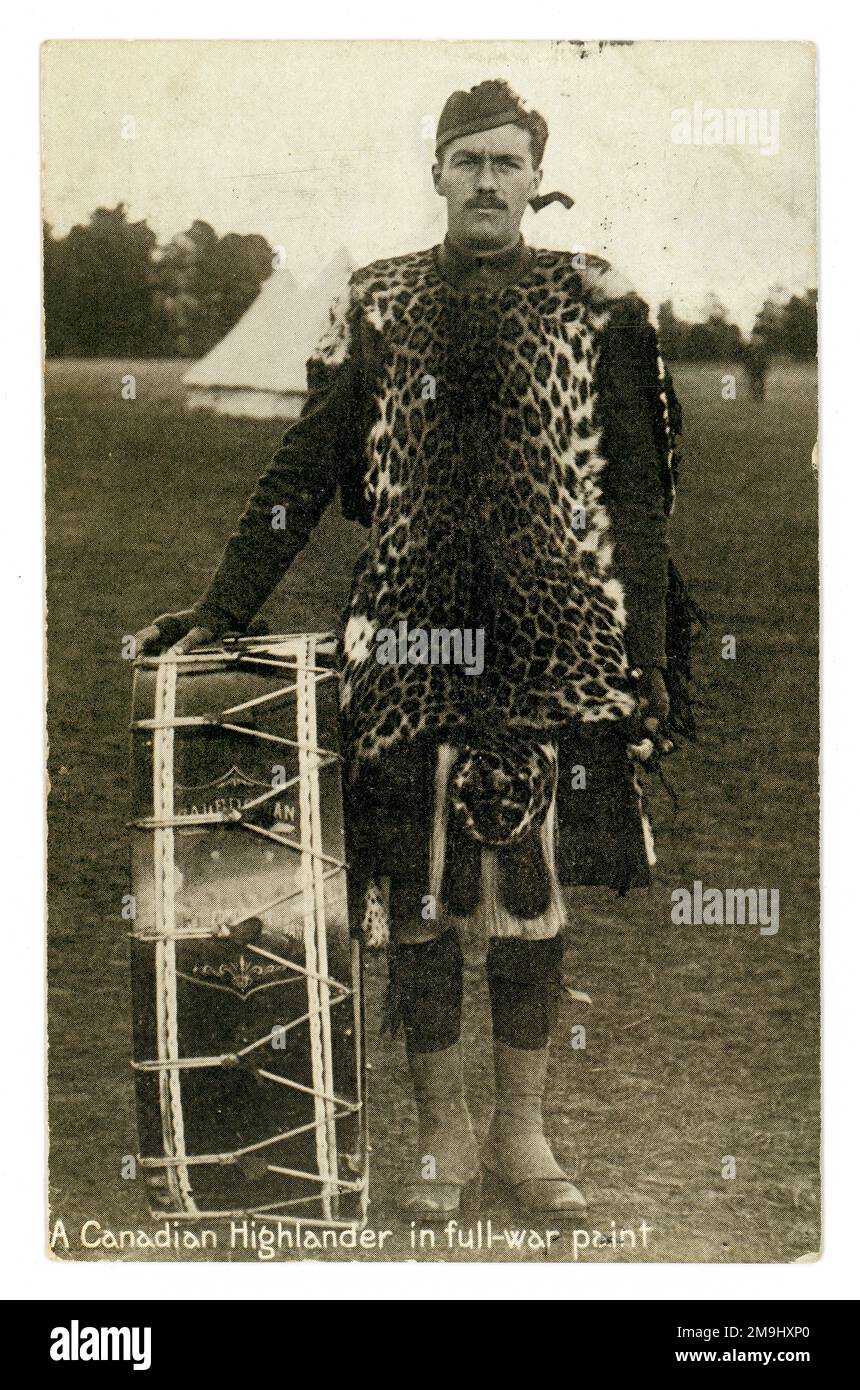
448, 1149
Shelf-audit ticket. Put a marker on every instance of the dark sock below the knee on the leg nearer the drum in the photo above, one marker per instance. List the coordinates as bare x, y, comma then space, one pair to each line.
427, 992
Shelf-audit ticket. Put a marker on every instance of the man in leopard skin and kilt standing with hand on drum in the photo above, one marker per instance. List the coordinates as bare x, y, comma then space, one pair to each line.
501, 422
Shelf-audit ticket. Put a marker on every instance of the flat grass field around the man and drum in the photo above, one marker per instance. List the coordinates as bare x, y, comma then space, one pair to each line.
702, 1042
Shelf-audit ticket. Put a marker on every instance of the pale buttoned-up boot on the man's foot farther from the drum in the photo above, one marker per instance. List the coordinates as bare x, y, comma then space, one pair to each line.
518, 1153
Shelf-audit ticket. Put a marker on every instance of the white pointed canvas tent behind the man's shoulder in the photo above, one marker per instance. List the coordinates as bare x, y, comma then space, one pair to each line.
259, 369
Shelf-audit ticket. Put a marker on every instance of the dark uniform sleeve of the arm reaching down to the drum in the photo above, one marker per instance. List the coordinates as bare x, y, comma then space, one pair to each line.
317, 454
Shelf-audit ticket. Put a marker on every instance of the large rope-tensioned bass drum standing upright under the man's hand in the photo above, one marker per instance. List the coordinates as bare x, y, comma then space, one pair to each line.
247, 985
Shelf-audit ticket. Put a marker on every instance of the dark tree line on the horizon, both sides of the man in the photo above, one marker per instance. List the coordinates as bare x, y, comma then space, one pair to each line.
112, 291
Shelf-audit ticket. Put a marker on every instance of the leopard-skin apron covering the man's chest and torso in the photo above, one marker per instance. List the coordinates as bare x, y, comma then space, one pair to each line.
484, 484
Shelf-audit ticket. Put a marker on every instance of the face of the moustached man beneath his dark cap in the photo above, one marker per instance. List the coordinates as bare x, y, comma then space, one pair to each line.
487, 181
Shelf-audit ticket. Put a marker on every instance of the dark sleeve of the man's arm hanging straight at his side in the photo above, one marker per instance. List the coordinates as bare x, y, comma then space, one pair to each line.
640, 419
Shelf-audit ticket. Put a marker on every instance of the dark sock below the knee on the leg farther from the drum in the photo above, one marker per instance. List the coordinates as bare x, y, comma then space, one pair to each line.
524, 985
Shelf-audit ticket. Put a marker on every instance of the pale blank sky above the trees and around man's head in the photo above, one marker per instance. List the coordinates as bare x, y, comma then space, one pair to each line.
320, 145
